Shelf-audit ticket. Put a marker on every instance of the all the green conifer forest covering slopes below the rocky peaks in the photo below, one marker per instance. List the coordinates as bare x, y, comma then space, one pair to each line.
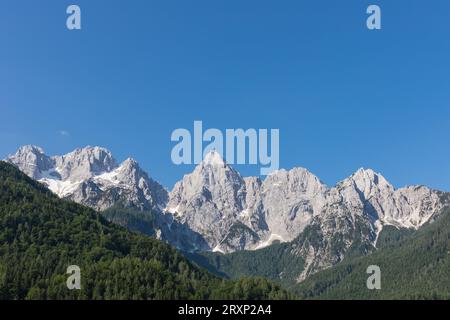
41, 235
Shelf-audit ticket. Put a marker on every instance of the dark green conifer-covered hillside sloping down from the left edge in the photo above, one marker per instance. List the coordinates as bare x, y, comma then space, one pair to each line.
41, 235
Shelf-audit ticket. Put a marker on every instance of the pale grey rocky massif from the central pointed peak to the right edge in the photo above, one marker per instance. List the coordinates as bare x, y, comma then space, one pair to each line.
215, 197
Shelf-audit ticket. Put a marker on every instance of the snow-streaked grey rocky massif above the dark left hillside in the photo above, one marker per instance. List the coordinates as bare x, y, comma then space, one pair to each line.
91, 176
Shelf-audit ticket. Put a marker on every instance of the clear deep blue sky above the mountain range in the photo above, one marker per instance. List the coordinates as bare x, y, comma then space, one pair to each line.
342, 96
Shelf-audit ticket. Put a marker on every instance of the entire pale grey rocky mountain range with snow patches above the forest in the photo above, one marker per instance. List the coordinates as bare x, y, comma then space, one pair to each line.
216, 209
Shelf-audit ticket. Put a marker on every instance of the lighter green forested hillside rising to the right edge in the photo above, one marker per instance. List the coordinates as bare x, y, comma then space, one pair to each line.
417, 266
